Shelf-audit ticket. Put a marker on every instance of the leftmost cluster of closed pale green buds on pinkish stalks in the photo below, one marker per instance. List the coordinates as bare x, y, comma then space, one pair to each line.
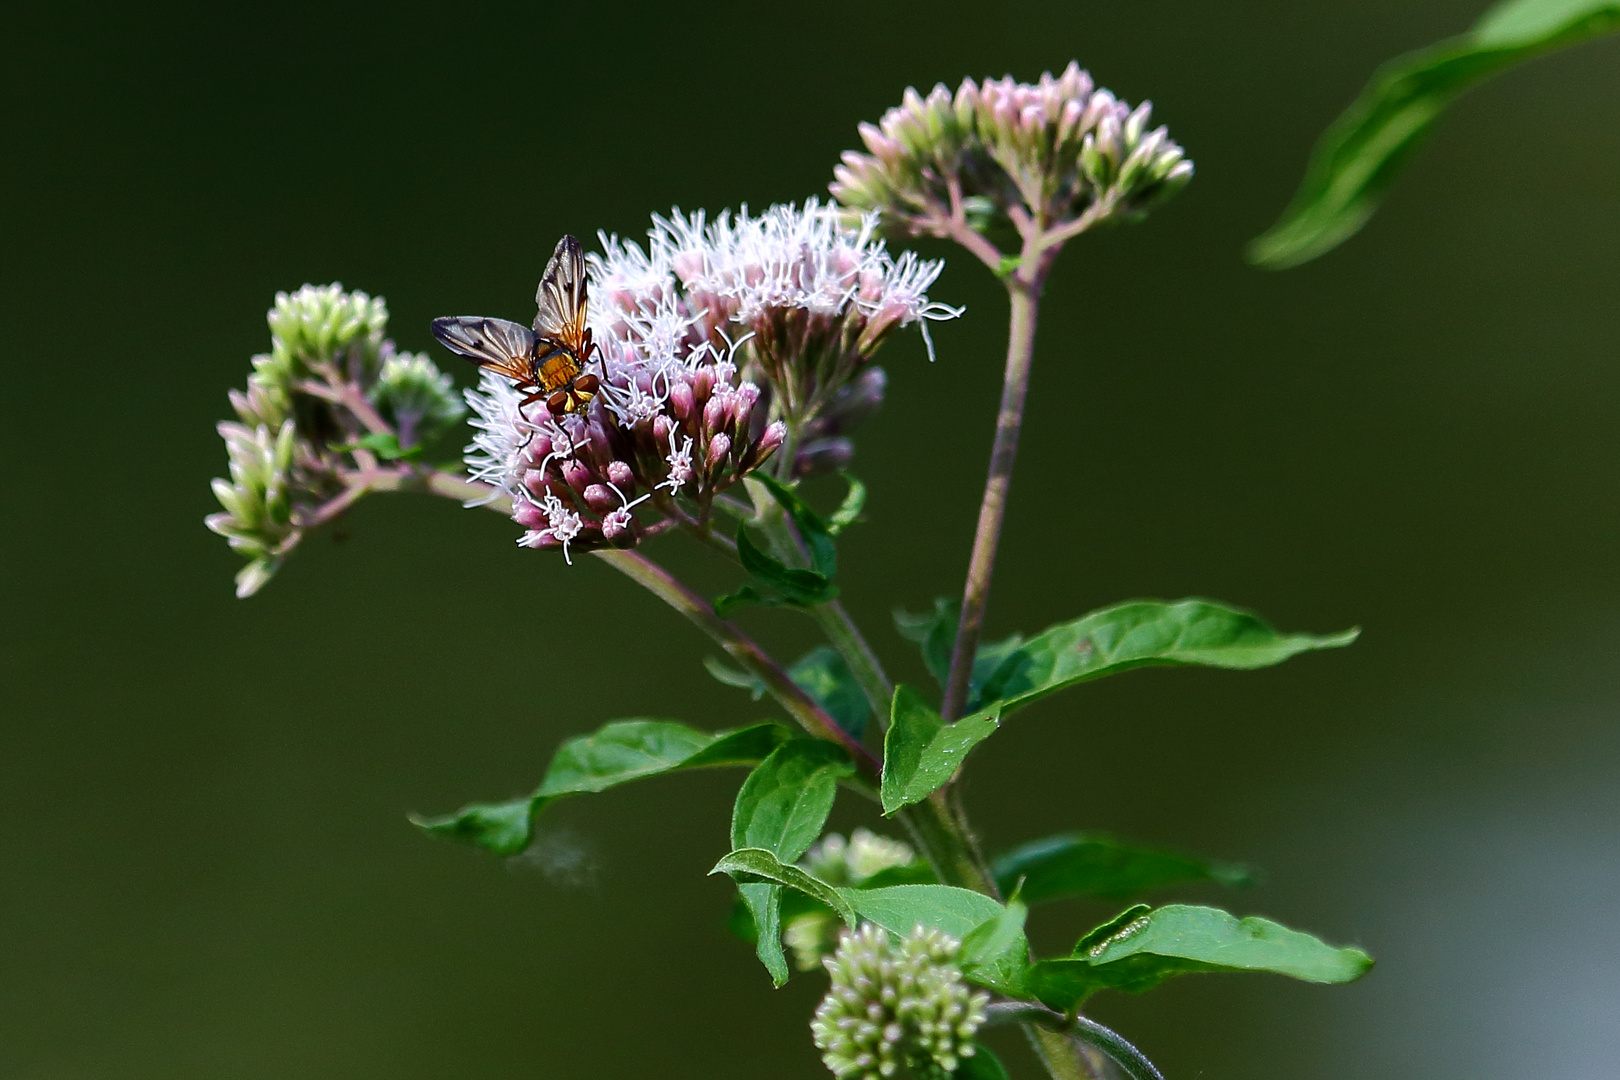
309, 399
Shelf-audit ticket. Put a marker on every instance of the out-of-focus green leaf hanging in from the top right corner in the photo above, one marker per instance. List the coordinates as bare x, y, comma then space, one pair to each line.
1365, 150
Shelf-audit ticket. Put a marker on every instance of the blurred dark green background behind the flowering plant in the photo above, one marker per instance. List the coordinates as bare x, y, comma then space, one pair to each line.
208, 869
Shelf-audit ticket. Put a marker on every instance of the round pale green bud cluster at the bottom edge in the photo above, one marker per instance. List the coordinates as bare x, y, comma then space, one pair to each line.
897, 1005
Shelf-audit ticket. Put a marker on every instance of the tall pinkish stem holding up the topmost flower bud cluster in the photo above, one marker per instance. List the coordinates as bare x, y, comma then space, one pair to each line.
1025, 294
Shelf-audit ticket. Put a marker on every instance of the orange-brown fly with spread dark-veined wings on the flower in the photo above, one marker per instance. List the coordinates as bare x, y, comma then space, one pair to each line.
550, 360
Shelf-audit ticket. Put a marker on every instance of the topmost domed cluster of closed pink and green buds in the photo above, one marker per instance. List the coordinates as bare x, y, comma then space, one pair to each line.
1010, 153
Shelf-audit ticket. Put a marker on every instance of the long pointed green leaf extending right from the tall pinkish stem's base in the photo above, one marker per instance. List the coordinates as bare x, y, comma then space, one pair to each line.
1143, 634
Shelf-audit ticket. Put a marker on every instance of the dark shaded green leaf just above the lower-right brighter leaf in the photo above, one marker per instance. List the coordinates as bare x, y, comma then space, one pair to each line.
1098, 865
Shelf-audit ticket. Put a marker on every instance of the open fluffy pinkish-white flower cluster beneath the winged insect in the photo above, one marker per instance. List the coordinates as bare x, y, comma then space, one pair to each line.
718, 339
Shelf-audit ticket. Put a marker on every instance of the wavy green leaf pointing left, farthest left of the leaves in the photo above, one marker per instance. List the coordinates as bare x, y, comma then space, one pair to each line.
616, 754
